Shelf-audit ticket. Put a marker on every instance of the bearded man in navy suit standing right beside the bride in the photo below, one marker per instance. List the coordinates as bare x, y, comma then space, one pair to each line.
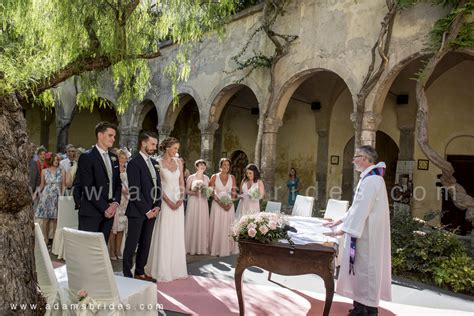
144, 205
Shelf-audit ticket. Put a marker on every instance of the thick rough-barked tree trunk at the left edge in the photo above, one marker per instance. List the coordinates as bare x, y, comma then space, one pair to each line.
17, 260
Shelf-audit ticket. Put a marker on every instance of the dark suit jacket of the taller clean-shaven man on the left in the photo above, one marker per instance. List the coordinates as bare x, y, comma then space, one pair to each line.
94, 183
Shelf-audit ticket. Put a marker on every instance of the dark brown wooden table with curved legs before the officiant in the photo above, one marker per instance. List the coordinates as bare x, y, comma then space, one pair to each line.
280, 258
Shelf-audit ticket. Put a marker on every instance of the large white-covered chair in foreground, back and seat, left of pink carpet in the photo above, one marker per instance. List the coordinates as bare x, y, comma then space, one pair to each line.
89, 269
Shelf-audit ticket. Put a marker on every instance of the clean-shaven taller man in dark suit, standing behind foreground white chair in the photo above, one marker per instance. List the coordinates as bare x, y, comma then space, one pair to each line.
99, 182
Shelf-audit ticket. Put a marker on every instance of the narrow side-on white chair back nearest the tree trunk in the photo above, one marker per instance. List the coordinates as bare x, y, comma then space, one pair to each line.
44, 267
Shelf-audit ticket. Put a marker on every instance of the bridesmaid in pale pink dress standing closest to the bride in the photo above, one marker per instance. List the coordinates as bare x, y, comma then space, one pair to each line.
197, 213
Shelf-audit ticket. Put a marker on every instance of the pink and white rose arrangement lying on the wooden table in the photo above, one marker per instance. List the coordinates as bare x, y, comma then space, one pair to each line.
263, 227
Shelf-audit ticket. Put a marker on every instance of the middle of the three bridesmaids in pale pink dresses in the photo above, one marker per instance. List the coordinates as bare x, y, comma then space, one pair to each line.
222, 216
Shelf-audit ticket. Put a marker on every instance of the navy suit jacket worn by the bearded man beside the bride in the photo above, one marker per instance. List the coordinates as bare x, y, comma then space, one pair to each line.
141, 187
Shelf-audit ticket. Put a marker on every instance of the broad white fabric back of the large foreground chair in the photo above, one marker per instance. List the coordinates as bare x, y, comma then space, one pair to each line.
88, 265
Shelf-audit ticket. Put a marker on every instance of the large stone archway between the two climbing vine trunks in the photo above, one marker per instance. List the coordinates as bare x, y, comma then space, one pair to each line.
304, 135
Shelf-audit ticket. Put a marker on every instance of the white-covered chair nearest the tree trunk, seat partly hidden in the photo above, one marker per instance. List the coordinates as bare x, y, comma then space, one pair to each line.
49, 279
